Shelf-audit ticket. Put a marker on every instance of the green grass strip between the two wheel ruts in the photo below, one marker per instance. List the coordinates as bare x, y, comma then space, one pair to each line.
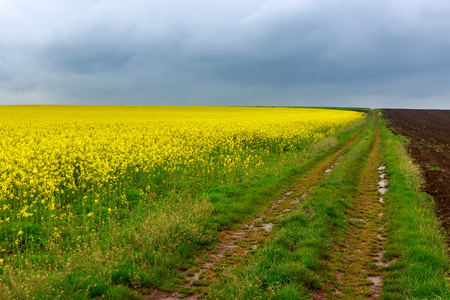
292, 264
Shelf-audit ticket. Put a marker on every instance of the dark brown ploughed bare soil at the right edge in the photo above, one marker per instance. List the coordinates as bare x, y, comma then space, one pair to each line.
429, 133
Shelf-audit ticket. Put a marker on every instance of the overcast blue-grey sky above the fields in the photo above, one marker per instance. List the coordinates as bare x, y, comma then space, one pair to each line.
346, 53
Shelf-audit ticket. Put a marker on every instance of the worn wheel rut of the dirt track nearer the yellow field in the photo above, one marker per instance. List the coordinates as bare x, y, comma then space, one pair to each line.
235, 245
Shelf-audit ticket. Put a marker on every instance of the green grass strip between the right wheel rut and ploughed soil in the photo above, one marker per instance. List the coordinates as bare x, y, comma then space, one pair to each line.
414, 234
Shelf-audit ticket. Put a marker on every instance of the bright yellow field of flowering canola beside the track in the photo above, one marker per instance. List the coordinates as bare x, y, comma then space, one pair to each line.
60, 162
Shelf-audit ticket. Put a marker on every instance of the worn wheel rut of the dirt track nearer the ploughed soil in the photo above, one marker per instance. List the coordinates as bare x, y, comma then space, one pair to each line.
360, 260
